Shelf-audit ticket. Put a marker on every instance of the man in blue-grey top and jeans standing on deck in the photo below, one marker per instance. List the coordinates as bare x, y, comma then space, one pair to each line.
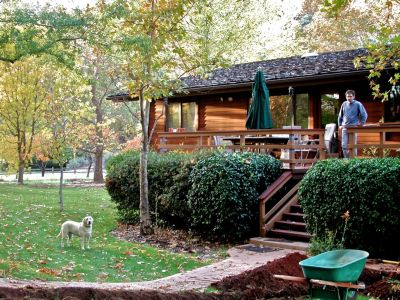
352, 113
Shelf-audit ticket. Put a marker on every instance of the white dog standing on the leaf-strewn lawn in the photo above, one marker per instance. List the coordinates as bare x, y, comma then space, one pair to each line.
82, 229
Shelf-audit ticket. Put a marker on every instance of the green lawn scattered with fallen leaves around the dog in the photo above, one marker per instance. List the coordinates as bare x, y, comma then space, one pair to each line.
29, 249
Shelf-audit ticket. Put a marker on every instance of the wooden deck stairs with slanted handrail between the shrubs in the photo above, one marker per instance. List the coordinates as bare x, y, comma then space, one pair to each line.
281, 216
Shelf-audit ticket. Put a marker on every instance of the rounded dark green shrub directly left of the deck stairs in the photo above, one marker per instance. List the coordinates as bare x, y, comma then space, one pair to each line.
223, 196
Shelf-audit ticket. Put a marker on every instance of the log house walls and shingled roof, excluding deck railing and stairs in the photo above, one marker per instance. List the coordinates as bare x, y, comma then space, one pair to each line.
317, 81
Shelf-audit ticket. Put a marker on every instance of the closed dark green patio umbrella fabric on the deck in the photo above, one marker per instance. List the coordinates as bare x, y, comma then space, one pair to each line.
259, 116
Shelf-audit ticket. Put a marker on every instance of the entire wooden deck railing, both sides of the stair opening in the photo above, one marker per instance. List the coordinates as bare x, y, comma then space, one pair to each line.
303, 148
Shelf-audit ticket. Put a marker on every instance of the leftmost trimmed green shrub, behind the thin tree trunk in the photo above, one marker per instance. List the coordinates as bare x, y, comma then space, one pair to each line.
168, 177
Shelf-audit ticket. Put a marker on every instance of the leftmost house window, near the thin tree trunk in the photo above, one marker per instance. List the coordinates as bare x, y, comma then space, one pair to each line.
182, 115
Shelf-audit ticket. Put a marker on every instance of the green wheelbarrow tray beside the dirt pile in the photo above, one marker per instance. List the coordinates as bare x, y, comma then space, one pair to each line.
337, 265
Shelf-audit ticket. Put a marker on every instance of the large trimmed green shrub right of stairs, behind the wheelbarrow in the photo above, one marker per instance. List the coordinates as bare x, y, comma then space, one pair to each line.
369, 189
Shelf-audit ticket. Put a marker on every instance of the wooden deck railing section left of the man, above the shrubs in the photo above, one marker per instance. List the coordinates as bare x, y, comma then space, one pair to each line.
302, 146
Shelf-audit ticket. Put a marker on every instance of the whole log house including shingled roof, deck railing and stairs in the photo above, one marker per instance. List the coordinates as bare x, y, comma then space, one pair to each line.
306, 91
